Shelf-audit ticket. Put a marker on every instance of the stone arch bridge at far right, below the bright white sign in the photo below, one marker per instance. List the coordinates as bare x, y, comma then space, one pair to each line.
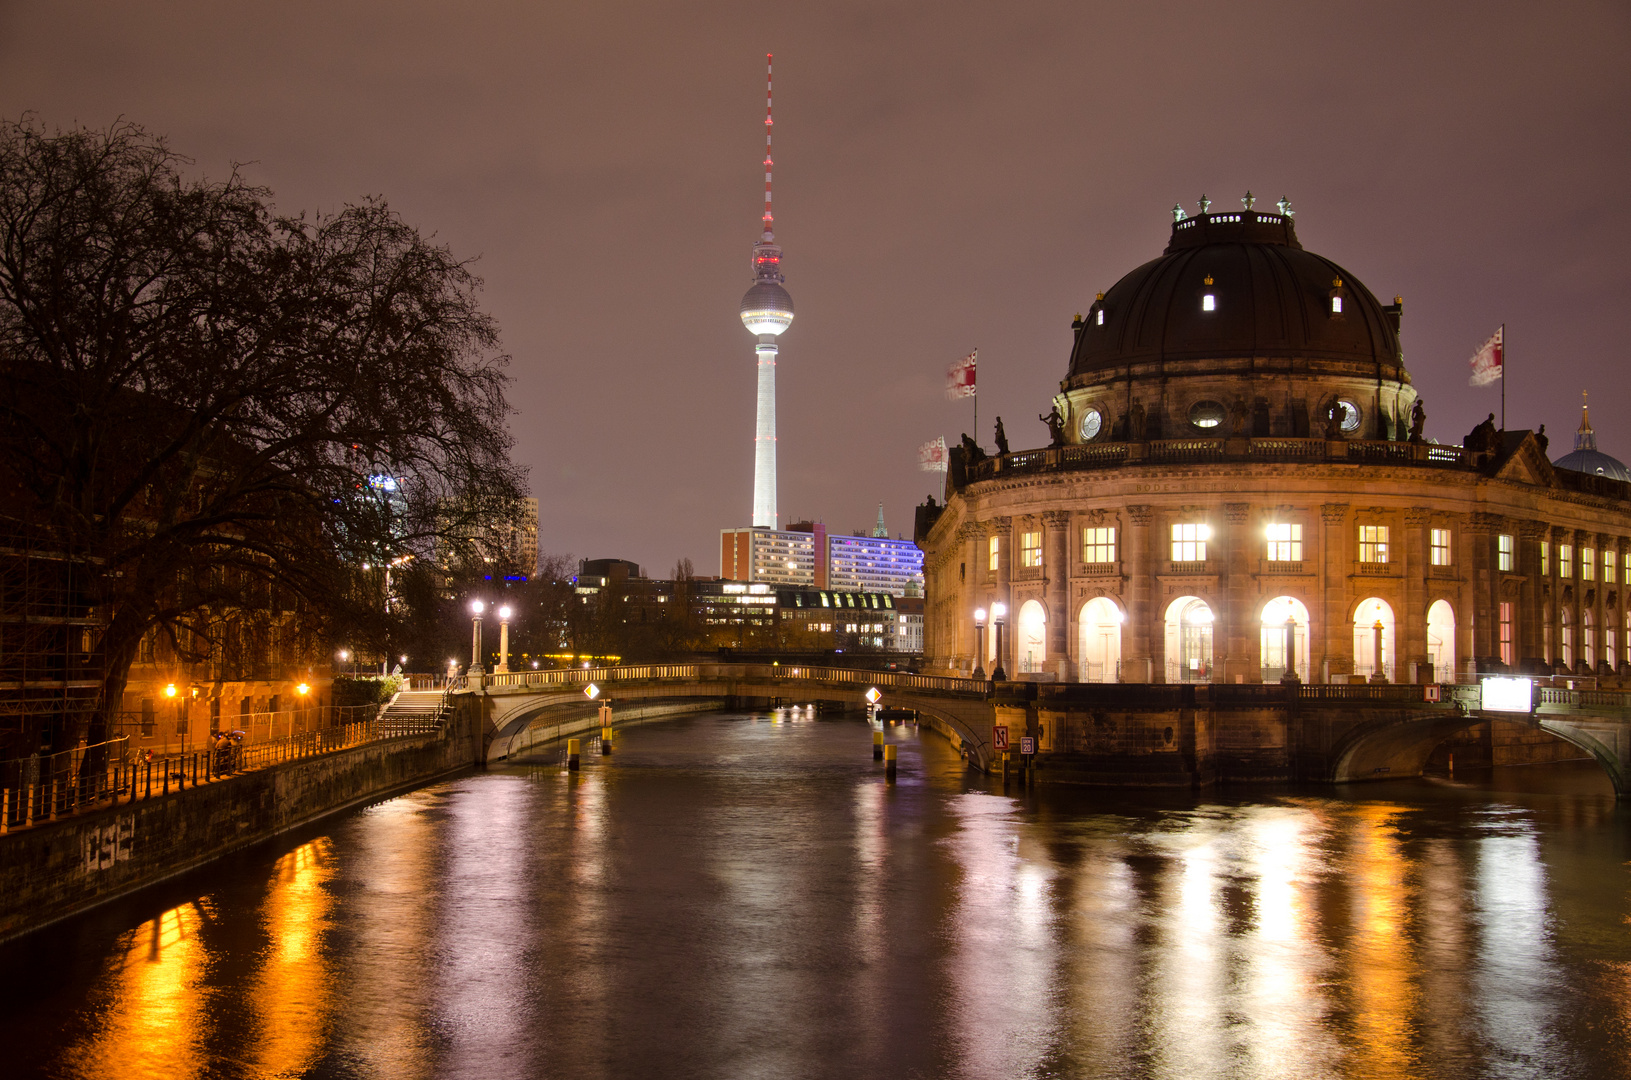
1399, 746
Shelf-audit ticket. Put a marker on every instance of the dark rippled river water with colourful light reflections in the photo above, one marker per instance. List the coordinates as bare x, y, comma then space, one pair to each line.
745, 896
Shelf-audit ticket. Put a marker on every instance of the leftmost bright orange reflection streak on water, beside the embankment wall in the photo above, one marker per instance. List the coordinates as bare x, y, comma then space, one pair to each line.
152, 1017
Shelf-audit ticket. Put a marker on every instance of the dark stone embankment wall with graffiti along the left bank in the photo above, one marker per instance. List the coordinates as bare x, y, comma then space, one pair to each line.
61, 869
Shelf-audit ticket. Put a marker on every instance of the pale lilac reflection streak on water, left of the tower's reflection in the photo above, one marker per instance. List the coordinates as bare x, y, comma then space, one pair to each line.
484, 927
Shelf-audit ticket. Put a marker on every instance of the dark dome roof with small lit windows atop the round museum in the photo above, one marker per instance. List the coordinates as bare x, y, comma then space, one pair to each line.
1237, 285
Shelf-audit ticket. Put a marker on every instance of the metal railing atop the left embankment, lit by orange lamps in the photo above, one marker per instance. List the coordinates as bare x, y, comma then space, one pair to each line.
48, 787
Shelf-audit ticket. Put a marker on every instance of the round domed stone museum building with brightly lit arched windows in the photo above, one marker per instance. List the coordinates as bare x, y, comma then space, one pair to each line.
1239, 490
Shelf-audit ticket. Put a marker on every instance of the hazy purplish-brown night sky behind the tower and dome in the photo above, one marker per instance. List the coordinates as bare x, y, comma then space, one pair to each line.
948, 175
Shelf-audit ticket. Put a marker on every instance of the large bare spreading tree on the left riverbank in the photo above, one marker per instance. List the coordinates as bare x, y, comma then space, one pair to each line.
210, 404
